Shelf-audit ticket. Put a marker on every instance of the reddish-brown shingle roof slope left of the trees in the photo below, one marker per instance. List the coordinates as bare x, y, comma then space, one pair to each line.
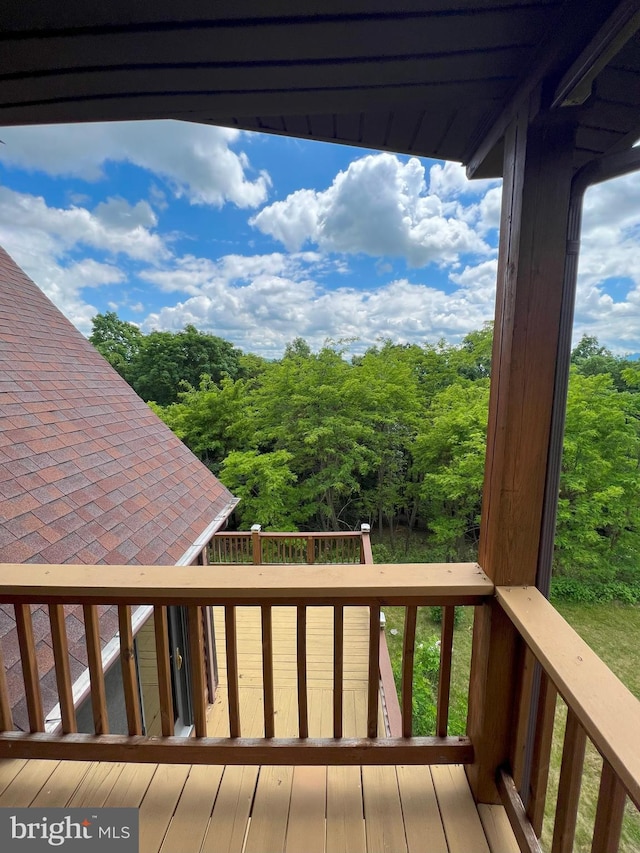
88, 473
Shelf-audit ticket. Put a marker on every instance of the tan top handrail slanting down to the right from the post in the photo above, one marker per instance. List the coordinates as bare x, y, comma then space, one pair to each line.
607, 711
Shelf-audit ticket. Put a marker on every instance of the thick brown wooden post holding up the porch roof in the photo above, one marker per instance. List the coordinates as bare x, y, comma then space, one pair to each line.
533, 243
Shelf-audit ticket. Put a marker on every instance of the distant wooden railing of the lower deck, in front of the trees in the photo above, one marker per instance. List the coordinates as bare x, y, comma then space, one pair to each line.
257, 547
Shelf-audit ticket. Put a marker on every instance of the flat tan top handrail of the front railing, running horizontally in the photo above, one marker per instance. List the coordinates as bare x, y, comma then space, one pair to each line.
411, 583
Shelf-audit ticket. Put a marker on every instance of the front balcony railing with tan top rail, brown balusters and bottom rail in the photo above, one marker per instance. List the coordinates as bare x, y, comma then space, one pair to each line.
336, 587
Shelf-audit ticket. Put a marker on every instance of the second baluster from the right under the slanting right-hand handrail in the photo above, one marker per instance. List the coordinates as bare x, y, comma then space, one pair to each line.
569, 785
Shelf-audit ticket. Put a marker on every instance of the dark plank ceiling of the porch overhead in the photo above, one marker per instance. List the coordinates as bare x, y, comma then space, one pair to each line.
425, 77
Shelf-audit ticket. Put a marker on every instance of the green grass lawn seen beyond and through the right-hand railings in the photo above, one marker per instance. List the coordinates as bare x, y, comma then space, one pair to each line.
612, 630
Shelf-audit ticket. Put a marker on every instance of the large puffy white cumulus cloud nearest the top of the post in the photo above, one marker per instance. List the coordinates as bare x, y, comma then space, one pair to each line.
379, 206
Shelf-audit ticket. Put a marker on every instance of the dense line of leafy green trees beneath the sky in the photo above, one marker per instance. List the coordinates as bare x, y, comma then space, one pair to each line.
394, 437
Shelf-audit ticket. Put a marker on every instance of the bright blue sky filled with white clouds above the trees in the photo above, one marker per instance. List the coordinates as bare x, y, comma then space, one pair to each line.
261, 239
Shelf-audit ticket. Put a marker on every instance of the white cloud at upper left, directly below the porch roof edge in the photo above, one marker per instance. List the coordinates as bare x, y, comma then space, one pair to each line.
195, 160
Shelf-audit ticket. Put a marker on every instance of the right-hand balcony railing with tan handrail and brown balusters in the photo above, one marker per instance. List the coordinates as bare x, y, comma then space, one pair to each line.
599, 707
